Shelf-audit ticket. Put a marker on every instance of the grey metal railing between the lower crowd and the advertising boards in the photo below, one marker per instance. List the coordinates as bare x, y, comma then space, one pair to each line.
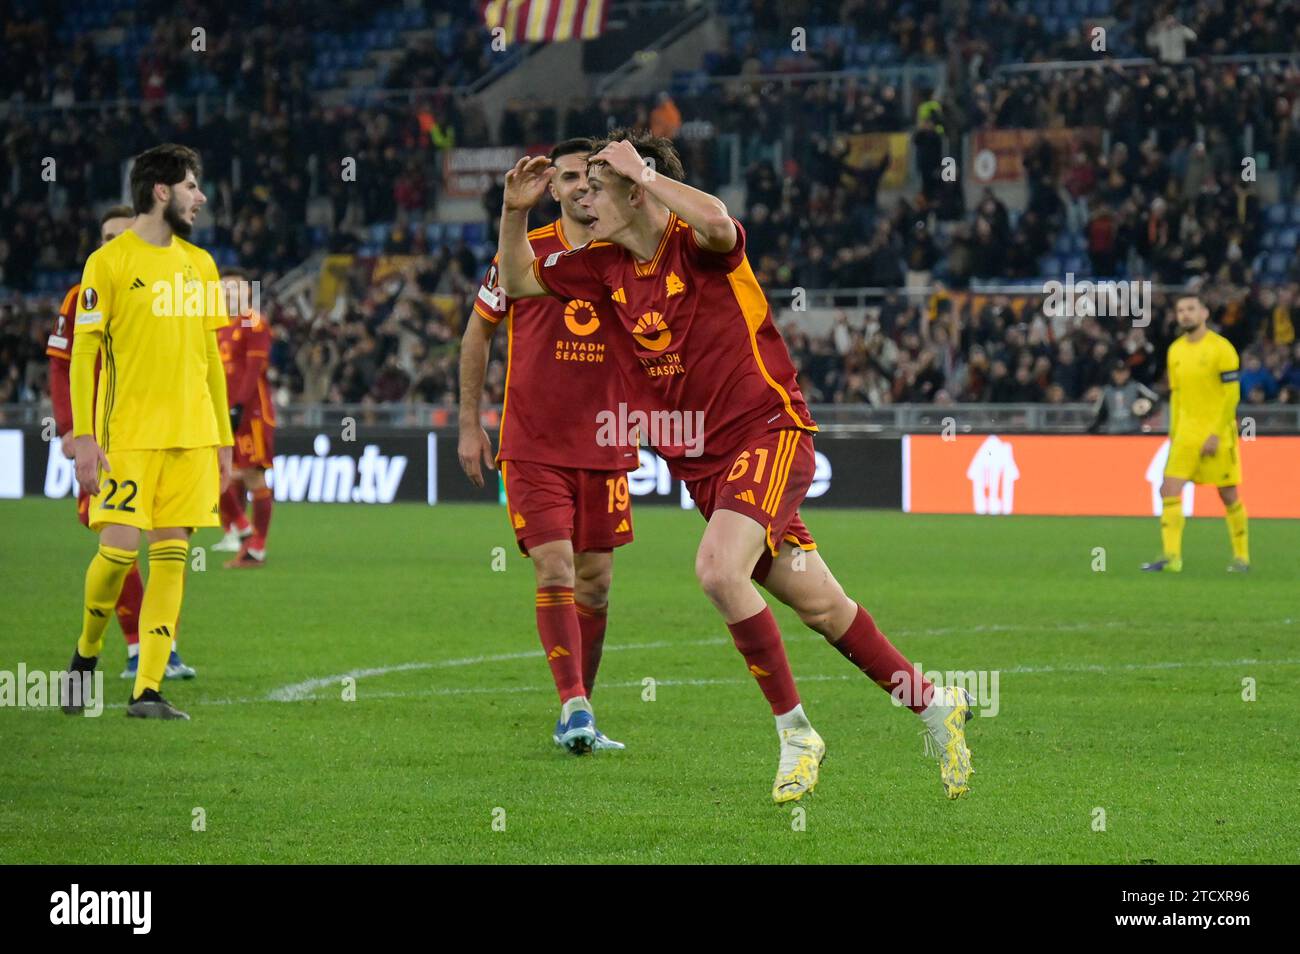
835, 420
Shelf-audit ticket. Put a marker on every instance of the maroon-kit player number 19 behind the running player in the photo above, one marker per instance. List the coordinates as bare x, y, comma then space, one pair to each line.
567, 496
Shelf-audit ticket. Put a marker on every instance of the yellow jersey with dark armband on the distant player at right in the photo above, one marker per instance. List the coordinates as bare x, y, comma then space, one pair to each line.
1206, 388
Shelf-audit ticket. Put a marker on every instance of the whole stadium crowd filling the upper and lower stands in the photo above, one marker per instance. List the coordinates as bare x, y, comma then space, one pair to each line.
1165, 202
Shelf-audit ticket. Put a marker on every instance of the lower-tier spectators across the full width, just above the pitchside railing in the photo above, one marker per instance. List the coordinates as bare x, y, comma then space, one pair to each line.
385, 344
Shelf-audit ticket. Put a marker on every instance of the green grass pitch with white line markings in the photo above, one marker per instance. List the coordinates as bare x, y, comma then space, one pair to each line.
1119, 691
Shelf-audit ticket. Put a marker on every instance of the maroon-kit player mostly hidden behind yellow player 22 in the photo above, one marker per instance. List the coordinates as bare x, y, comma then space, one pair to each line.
59, 349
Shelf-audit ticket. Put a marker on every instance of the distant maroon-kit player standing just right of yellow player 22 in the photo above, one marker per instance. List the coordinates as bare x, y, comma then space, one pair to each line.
245, 346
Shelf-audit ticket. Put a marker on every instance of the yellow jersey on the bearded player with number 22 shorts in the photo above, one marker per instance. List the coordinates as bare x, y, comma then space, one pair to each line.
157, 307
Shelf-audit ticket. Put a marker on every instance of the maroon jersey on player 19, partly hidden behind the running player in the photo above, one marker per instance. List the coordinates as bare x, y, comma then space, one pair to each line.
561, 380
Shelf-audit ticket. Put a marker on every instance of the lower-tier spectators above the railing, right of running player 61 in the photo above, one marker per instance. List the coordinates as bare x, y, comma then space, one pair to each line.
1007, 352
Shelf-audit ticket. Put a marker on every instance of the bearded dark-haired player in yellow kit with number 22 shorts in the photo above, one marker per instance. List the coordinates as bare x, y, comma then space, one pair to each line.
154, 453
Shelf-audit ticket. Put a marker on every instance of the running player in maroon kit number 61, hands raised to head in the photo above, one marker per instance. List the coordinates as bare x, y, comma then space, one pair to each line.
670, 261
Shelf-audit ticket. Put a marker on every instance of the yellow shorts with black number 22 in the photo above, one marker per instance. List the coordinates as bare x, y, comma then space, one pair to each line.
159, 489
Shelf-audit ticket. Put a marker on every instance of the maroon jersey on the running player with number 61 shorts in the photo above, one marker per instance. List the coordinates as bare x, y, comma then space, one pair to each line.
701, 332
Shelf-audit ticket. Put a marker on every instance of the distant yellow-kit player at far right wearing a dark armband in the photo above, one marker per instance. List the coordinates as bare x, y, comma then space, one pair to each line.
1203, 446
